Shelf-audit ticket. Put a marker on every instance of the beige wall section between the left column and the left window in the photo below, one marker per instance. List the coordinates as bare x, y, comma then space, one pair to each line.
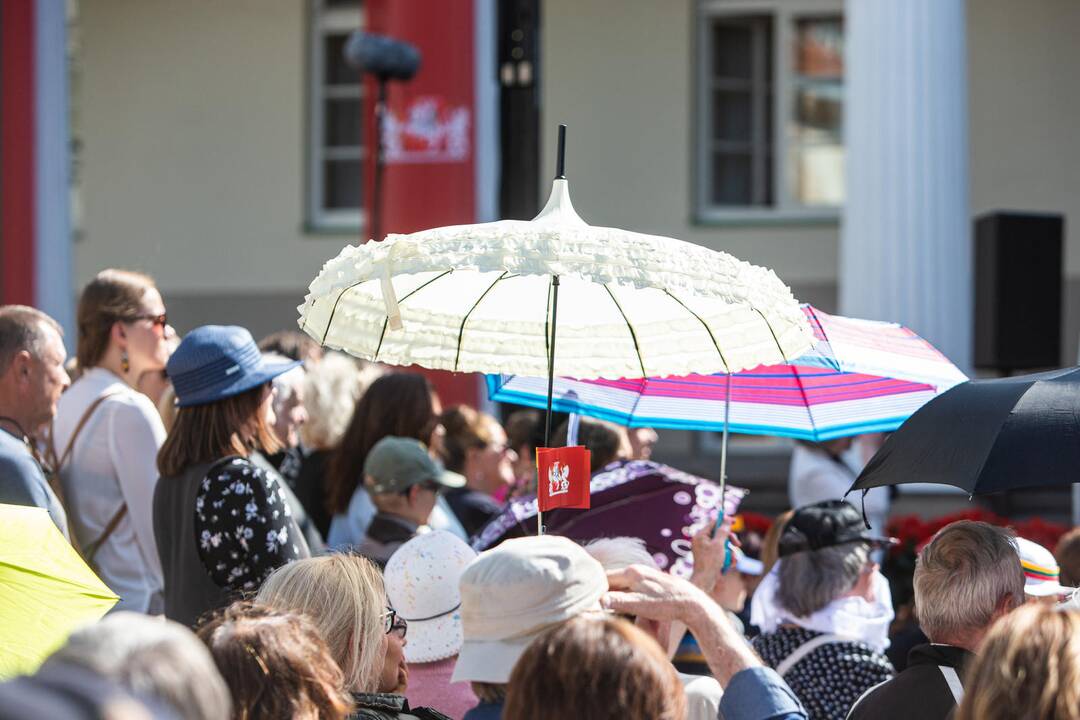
192, 119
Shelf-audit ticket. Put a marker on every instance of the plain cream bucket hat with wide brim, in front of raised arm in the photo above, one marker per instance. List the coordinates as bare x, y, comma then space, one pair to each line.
512, 593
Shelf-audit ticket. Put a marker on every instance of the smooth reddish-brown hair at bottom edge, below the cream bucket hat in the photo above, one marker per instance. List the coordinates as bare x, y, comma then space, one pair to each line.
595, 669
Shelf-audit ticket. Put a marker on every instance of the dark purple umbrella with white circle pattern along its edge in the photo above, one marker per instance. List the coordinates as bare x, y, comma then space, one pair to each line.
642, 499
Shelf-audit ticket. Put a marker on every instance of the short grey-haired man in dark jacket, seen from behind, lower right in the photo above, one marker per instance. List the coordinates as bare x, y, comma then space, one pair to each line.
967, 578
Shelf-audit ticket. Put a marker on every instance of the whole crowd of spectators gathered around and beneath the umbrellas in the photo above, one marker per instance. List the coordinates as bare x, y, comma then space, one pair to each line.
288, 532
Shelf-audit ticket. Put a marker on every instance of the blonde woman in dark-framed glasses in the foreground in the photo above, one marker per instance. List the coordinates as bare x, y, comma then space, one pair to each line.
345, 596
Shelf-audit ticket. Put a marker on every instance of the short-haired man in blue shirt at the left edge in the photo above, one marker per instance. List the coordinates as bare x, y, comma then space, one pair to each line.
32, 381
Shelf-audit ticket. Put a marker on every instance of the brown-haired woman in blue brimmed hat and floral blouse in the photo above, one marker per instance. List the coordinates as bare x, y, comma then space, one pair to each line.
222, 523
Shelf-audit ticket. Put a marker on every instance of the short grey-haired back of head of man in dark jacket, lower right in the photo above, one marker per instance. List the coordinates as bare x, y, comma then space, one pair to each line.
962, 578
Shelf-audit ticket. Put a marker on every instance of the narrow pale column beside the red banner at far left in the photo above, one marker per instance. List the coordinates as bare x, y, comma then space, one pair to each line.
55, 287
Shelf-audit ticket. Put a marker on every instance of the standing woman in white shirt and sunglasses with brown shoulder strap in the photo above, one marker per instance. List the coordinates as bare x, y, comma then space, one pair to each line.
105, 440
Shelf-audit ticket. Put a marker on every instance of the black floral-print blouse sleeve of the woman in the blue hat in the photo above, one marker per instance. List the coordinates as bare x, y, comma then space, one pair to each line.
244, 526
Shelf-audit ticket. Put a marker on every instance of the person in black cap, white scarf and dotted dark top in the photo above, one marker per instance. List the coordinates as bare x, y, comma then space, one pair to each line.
825, 610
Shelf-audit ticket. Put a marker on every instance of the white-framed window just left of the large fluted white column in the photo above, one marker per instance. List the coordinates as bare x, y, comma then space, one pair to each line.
771, 88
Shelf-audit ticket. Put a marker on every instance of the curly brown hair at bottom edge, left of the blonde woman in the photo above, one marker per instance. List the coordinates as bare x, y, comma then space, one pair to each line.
276, 663
